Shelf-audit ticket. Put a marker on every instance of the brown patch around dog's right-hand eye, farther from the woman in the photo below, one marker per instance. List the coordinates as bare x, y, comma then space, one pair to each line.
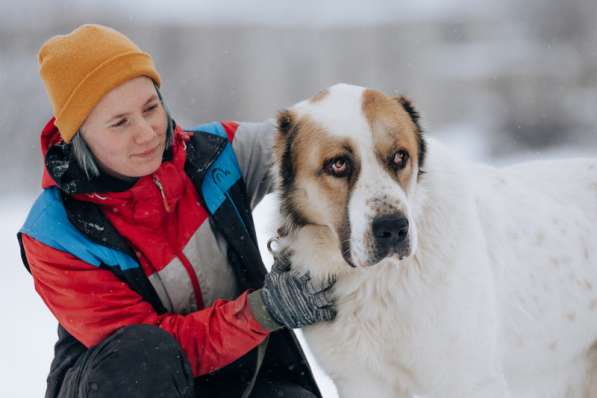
396, 134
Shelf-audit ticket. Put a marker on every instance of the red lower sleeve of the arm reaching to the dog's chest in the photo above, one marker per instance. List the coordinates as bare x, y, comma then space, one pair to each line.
91, 303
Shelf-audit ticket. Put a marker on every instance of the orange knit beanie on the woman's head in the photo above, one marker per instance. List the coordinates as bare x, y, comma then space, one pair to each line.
79, 68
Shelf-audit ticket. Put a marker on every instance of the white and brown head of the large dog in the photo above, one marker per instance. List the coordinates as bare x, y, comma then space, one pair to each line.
349, 158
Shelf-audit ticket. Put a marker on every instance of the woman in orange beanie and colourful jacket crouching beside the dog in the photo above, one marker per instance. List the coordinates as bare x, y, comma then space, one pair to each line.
142, 243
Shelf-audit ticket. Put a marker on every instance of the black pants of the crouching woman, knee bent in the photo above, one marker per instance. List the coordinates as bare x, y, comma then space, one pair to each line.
145, 361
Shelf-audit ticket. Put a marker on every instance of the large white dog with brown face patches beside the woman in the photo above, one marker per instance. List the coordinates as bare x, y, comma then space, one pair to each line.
493, 292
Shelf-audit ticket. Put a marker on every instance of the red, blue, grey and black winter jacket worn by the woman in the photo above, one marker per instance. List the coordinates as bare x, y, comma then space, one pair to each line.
175, 249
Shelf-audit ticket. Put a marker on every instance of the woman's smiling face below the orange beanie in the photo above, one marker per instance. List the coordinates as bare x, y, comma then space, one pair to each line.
126, 130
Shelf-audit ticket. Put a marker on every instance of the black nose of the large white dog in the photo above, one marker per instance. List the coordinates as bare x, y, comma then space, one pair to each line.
390, 232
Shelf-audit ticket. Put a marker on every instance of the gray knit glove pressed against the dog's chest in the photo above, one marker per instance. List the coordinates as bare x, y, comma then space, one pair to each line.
292, 300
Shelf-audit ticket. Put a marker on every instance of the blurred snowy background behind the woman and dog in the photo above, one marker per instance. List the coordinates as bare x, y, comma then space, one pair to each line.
498, 80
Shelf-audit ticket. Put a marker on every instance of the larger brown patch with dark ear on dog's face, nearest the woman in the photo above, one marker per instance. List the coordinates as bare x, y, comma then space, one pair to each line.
305, 154
